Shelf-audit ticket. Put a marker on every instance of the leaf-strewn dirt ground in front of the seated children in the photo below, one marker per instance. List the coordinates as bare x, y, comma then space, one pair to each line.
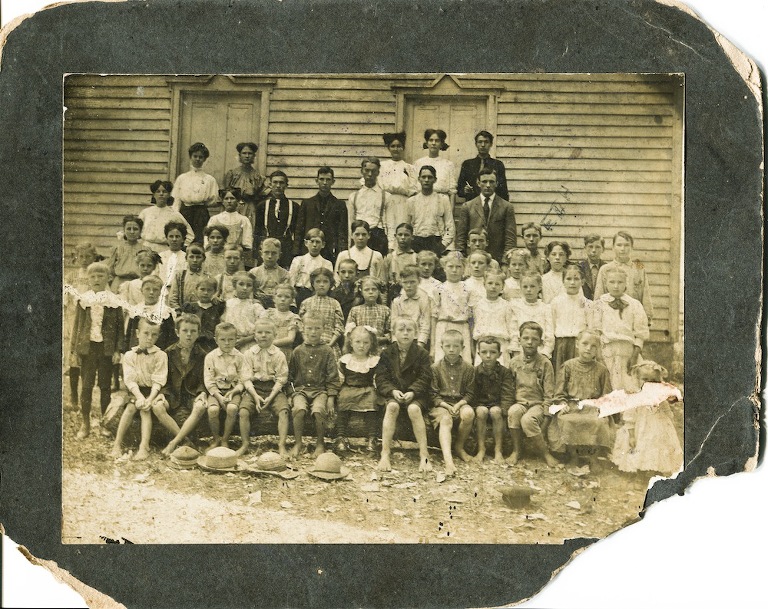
151, 502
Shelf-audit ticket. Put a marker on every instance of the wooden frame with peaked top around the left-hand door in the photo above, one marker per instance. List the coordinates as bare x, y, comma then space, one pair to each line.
257, 85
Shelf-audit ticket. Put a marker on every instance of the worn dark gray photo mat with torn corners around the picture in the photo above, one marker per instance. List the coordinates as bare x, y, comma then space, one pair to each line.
723, 183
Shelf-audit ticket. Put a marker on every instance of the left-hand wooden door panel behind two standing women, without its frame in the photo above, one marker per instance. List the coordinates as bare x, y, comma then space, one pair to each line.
220, 121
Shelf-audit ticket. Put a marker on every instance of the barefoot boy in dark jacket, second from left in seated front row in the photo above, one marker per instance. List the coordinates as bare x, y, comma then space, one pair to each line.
185, 391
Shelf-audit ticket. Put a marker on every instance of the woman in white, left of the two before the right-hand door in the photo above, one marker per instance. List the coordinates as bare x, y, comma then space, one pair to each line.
398, 178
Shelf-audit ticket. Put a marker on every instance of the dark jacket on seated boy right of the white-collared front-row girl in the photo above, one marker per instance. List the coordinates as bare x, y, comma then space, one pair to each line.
415, 374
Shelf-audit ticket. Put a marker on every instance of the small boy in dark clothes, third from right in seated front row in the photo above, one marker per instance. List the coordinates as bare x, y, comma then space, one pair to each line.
492, 394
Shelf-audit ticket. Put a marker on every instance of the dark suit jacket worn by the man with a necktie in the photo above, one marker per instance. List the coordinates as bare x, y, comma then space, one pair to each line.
501, 227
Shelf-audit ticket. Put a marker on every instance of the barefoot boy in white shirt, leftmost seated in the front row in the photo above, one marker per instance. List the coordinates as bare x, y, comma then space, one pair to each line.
145, 371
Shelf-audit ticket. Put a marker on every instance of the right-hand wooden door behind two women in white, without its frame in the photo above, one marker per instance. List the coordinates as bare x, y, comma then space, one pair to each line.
461, 118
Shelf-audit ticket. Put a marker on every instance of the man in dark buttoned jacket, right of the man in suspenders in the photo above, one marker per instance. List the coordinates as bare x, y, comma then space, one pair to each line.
326, 212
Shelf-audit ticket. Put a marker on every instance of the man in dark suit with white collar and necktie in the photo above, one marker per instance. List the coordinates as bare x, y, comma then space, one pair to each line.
491, 212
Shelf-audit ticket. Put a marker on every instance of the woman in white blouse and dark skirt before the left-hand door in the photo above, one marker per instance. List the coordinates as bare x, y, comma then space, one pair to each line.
195, 190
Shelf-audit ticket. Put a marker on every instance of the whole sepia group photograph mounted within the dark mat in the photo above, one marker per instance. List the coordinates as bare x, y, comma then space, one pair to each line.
369, 308
